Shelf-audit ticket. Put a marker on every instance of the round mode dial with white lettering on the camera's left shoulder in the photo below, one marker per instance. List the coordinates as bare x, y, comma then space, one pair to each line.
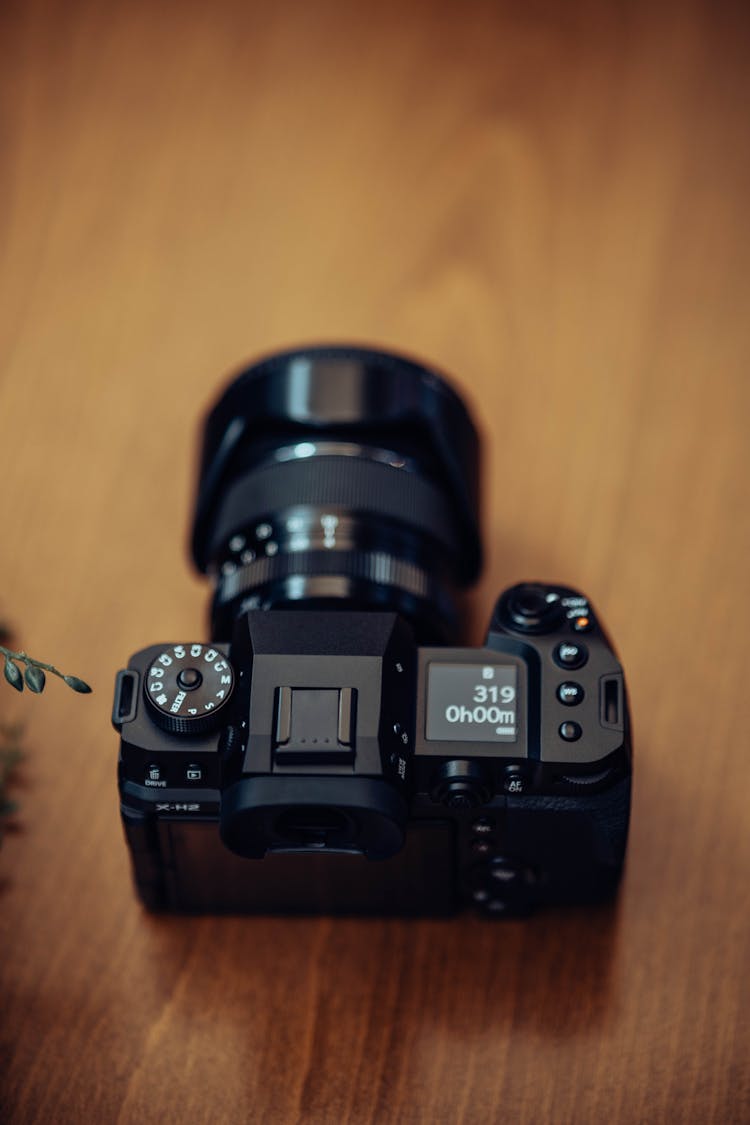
186, 688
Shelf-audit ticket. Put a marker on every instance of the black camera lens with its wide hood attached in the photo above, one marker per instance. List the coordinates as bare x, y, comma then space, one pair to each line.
340, 478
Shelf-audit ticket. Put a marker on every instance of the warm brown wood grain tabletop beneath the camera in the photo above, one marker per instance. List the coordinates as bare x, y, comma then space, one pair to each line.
550, 202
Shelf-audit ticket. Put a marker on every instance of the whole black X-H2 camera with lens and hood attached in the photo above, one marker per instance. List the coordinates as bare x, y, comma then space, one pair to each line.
330, 750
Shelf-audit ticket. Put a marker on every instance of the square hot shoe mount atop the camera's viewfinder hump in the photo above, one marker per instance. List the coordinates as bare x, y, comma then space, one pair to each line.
315, 726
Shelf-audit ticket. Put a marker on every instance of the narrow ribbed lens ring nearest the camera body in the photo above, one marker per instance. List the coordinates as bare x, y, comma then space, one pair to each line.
373, 566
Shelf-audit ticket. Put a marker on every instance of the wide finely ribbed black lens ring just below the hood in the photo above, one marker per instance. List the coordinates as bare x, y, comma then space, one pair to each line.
367, 488
